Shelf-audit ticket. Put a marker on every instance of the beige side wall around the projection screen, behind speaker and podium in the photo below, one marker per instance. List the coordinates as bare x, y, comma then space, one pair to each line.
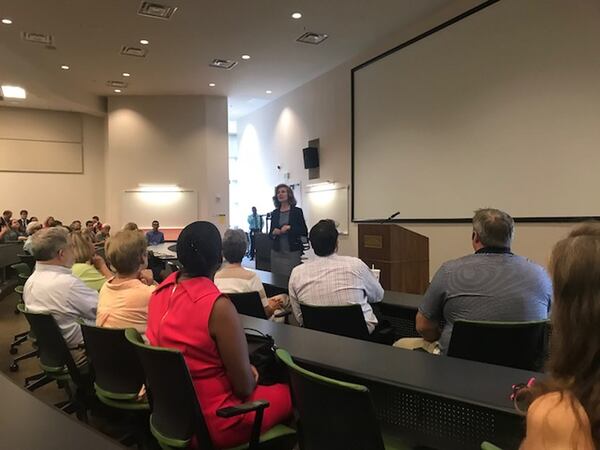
320, 109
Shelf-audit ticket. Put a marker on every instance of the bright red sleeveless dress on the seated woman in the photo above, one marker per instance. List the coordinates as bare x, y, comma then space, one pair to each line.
179, 320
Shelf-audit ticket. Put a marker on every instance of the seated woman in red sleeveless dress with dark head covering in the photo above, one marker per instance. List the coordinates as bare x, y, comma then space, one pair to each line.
187, 312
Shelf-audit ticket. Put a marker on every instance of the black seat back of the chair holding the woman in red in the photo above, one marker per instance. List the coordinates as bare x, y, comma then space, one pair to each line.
176, 414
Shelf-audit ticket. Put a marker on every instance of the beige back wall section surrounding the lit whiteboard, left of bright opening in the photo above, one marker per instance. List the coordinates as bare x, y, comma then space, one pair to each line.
178, 140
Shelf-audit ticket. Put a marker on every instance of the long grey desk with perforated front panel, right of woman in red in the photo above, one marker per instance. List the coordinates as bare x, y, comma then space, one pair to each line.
442, 402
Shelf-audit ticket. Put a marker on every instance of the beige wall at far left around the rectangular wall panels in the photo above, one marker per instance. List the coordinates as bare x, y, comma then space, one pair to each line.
64, 196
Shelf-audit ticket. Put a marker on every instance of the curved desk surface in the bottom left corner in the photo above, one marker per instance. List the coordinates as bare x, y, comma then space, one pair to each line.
27, 423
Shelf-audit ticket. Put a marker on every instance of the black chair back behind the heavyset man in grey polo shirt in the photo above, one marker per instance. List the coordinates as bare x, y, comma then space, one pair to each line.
522, 345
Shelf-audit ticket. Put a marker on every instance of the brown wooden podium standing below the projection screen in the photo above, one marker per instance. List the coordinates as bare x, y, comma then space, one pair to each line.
401, 255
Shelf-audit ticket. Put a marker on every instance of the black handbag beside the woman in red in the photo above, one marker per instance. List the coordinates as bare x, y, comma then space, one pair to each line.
261, 349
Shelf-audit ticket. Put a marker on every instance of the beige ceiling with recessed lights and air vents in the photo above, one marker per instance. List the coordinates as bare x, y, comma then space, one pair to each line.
88, 35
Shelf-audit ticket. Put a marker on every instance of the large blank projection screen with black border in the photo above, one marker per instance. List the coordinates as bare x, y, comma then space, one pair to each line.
499, 107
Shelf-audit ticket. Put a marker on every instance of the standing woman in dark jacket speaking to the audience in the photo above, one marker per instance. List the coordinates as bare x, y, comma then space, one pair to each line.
287, 228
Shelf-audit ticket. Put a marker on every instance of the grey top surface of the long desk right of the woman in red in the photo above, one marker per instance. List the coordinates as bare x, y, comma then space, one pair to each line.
484, 385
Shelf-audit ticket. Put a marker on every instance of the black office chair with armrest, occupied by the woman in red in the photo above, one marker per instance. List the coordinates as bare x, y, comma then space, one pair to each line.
176, 415
